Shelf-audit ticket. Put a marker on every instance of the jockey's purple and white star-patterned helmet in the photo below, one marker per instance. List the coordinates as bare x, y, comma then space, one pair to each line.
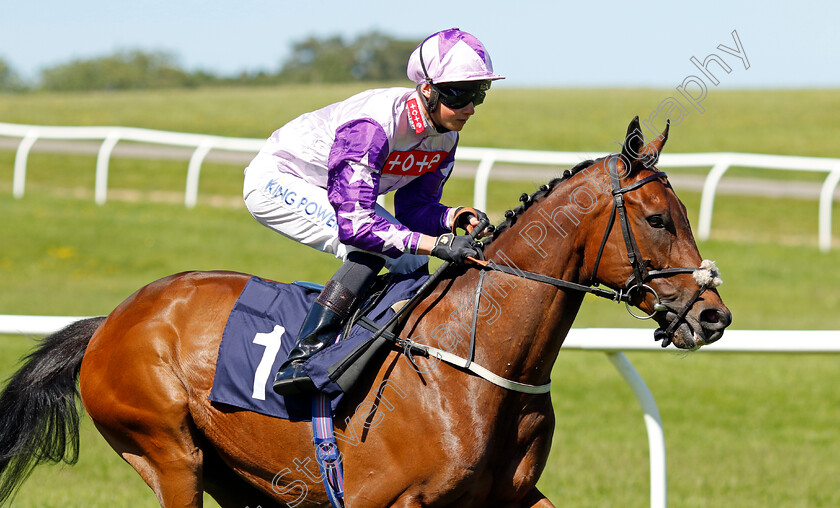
450, 56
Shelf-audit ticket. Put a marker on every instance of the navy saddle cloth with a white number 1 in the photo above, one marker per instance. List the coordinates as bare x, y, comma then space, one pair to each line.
261, 331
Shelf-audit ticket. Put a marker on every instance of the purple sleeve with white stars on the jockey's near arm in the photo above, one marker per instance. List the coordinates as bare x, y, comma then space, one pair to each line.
360, 146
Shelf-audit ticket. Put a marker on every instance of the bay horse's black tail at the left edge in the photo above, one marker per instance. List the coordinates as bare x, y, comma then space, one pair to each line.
39, 419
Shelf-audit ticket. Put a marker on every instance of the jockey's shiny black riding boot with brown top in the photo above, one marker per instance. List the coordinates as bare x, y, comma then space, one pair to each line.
325, 319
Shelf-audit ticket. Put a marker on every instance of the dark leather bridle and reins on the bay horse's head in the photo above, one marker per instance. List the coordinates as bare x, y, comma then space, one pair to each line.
636, 285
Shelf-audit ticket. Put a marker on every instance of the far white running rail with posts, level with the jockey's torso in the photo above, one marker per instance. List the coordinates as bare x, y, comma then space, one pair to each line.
486, 158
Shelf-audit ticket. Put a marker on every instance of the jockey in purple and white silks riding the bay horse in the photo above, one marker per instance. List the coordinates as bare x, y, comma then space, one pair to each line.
317, 178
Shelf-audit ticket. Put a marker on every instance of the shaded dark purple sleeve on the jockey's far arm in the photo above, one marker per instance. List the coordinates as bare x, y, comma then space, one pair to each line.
417, 204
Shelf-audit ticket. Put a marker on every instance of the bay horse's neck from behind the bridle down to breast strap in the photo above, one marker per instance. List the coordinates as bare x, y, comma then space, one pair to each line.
520, 324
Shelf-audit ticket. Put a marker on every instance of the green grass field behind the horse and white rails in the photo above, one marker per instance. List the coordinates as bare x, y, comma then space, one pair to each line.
741, 430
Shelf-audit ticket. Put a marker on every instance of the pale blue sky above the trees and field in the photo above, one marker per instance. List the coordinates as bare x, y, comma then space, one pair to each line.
535, 44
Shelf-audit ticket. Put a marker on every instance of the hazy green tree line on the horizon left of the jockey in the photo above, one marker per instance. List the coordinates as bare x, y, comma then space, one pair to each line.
373, 56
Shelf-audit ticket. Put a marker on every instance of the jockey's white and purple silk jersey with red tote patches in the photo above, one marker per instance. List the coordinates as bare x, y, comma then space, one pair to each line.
372, 143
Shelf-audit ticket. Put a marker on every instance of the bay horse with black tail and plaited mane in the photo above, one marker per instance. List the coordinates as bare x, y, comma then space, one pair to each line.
415, 434
